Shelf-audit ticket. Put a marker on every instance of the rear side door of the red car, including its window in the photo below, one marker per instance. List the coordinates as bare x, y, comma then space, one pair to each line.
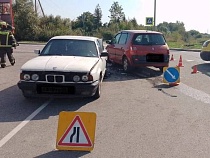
120, 48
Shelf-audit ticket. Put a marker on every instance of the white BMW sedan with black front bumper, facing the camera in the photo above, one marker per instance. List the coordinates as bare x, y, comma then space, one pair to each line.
68, 66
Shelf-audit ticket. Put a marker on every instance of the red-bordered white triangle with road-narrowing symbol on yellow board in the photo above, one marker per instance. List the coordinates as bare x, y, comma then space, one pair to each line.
75, 135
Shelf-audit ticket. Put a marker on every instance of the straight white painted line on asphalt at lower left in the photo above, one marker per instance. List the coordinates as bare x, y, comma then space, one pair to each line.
22, 124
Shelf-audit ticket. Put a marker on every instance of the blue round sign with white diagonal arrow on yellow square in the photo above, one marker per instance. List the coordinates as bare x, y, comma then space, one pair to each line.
171, 75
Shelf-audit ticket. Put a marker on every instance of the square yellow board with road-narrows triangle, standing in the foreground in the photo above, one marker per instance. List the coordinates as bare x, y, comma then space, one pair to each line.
76, 131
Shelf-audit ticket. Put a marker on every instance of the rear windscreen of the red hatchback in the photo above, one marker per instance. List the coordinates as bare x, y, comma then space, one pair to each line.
148, 39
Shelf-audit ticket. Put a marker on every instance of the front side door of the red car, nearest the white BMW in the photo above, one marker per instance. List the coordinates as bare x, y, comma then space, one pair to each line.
111, 48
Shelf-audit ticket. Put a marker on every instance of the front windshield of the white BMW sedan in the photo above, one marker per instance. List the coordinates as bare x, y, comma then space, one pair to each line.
70, 47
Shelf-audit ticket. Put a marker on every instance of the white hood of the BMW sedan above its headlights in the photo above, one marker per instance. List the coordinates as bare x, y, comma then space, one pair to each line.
60, 63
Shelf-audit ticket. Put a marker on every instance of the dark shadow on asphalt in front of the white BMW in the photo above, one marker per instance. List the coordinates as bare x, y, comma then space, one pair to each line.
14, 107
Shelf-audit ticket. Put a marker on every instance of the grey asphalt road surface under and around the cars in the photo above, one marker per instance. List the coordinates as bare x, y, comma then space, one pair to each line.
137, 115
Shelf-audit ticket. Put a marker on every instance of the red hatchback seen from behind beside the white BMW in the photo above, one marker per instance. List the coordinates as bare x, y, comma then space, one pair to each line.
137, 48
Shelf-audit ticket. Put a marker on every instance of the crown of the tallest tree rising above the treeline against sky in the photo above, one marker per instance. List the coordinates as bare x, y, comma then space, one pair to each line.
117, 14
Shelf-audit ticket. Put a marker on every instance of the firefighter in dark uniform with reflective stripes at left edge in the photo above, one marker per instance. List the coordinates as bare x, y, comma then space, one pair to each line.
7, 42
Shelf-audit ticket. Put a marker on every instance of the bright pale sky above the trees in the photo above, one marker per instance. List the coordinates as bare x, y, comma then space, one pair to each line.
194, 14
